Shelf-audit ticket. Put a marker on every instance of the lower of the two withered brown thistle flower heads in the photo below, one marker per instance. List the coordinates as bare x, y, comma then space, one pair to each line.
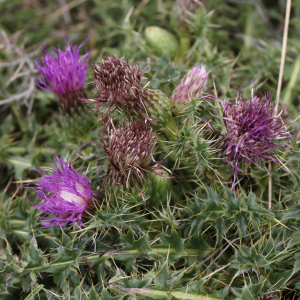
130, 153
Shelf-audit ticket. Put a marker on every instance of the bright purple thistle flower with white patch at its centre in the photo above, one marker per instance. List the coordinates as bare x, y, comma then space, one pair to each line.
65, 193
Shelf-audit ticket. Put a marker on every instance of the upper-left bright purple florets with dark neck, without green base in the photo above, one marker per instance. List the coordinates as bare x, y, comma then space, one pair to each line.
63, 73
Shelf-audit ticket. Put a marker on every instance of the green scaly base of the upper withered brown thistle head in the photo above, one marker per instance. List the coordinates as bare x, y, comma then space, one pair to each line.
160, 109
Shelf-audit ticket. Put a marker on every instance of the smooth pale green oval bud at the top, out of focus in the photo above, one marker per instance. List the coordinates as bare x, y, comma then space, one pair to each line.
162, 41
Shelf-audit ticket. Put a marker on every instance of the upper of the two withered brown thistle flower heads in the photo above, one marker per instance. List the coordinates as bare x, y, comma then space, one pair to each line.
118, 84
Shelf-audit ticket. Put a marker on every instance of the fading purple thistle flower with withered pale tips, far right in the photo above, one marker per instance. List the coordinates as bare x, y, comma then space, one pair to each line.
253, 132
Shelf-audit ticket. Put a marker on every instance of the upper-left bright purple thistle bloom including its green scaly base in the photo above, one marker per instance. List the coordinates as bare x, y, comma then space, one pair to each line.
64, 73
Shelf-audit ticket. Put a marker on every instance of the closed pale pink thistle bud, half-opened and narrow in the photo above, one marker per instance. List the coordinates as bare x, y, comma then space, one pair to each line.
190, 87
